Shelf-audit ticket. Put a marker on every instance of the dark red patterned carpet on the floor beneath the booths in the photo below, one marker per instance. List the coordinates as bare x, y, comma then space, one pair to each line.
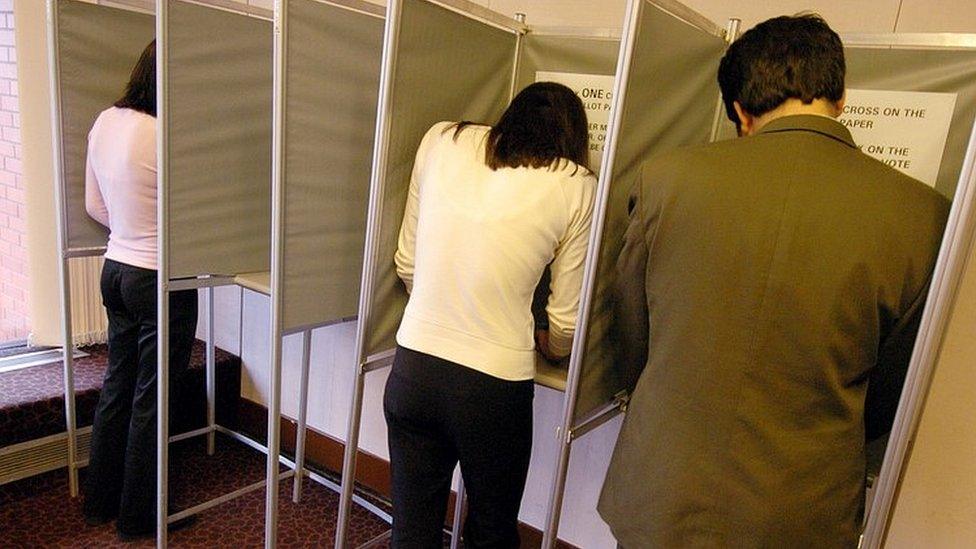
37, 512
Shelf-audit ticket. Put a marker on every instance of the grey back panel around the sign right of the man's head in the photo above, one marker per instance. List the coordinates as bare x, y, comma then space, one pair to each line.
924, 70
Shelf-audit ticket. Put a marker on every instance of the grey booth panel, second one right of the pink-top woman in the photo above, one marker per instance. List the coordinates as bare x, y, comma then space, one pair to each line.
332, 84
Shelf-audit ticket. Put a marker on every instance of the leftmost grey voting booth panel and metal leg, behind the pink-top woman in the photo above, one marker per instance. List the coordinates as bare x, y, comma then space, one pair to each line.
92, 49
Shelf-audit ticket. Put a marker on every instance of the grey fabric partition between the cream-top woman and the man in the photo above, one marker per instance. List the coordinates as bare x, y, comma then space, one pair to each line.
670, 101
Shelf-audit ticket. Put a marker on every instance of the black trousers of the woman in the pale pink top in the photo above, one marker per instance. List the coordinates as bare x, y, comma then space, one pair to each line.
121, 477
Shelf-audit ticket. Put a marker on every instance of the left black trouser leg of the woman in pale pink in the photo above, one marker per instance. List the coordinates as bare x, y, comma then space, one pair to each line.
103, 485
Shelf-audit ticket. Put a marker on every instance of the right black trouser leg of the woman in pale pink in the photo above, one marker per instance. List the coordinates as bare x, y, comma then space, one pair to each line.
138, 510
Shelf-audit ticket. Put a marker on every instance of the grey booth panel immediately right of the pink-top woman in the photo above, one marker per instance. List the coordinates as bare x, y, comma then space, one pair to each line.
219, 122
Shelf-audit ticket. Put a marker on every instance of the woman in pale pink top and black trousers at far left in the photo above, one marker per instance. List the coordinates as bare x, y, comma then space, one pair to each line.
120, 193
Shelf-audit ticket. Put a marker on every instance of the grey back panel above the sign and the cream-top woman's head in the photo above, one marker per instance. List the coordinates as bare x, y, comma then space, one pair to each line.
558, 53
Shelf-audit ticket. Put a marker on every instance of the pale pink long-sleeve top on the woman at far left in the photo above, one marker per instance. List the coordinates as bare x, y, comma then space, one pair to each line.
120, 184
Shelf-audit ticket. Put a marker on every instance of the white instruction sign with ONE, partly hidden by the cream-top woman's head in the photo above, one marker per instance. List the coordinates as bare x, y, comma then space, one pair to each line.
596, 91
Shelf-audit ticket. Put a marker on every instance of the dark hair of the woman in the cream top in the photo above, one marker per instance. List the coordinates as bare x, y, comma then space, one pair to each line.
544, 124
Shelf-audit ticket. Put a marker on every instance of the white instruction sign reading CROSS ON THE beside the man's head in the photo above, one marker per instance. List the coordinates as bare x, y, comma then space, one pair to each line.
905, 130
